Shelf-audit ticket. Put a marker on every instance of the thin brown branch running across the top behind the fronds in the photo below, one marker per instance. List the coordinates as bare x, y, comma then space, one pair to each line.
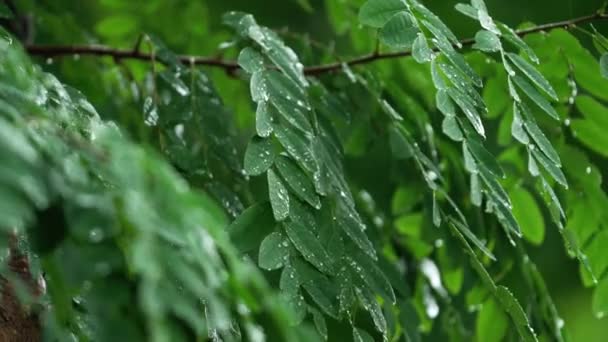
232, 66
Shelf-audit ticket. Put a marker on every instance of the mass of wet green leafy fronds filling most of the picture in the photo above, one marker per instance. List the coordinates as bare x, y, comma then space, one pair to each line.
280, 202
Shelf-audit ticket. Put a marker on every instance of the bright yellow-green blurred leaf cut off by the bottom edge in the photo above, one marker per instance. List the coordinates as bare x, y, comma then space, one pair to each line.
492, 322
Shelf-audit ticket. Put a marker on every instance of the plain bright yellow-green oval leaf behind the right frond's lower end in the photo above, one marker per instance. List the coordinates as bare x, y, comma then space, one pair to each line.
528, 215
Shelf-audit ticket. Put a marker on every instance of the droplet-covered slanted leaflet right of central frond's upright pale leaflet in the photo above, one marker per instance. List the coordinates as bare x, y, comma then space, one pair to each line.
298, 181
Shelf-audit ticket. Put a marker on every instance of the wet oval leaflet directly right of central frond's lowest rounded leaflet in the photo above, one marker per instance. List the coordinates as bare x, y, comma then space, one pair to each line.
309, 246
